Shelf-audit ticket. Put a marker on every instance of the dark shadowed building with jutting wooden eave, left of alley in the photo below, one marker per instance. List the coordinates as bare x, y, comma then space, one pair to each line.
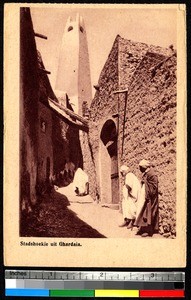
49, 130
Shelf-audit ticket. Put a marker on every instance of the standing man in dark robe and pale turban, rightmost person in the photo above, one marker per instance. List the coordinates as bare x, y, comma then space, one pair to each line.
147, 213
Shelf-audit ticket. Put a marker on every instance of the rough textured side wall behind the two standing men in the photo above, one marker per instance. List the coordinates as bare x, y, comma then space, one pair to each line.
150, 129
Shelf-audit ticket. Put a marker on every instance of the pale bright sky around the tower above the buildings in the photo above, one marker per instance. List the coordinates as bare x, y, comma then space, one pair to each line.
149, 25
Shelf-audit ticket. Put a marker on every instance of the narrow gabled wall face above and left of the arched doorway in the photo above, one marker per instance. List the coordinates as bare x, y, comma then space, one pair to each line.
103, 106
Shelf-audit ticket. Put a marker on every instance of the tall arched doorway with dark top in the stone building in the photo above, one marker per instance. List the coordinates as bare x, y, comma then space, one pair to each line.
108, 160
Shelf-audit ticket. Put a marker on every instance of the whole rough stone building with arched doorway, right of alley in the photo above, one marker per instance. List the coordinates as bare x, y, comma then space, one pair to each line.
133, 116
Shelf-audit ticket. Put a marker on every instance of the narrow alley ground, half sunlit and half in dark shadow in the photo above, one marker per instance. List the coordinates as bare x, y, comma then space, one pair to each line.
63, 214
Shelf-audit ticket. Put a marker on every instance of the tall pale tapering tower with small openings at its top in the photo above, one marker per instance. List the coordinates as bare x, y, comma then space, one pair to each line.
73, 75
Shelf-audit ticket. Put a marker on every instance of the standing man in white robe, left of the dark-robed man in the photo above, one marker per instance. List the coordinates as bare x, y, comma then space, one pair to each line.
131, 189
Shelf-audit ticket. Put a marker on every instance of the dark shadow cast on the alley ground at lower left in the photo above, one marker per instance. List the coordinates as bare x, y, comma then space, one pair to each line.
52, 218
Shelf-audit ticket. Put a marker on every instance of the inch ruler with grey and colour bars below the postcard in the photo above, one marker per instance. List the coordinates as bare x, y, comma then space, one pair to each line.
94, 284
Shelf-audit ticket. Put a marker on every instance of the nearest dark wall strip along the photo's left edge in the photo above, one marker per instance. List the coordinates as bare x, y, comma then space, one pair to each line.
29, 93
